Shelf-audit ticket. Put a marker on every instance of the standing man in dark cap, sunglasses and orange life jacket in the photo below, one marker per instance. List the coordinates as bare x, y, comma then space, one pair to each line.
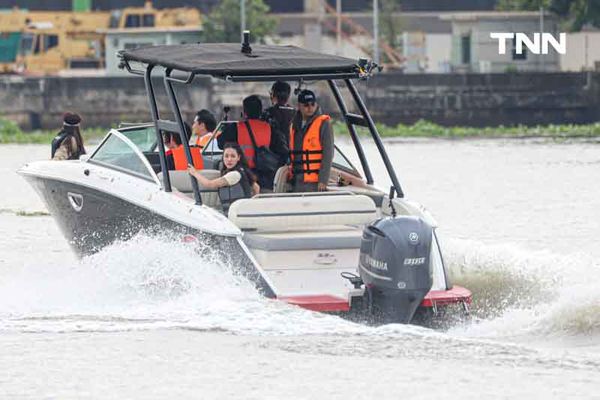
311, 145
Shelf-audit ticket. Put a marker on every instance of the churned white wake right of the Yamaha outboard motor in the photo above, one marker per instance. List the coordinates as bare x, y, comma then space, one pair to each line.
527, 294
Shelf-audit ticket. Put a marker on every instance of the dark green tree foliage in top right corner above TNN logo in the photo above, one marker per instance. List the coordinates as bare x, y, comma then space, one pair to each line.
573, 13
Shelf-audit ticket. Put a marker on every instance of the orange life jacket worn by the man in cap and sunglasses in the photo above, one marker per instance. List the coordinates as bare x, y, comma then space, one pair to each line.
310, 156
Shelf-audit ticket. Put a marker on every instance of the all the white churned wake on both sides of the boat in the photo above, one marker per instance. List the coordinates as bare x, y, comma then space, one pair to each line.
159, 283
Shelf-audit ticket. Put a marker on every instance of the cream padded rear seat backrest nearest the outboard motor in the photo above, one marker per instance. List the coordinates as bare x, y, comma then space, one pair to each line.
287, 212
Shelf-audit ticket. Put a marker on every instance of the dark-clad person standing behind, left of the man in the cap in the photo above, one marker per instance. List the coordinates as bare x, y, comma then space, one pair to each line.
280, 114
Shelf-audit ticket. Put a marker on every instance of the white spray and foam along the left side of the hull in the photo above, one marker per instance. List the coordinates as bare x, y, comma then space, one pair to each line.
150, 283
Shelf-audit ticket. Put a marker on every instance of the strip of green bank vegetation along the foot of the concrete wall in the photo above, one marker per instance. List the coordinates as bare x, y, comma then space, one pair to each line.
11, 133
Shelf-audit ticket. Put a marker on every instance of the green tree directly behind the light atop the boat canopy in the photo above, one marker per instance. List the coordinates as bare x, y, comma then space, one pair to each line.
223, 24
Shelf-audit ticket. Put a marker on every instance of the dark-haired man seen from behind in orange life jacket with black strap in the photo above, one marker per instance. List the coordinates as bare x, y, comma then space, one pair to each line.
261, 130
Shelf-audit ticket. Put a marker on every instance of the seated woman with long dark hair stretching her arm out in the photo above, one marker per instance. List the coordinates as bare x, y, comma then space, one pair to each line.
236, 181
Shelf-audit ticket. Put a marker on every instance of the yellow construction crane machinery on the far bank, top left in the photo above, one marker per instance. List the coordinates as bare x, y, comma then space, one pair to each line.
48, 42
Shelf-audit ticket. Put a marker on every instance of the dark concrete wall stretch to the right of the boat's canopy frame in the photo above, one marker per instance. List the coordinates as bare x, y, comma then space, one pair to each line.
486, 99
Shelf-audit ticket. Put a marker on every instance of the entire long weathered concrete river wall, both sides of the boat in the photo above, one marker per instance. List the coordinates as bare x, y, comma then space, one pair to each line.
449, 99
